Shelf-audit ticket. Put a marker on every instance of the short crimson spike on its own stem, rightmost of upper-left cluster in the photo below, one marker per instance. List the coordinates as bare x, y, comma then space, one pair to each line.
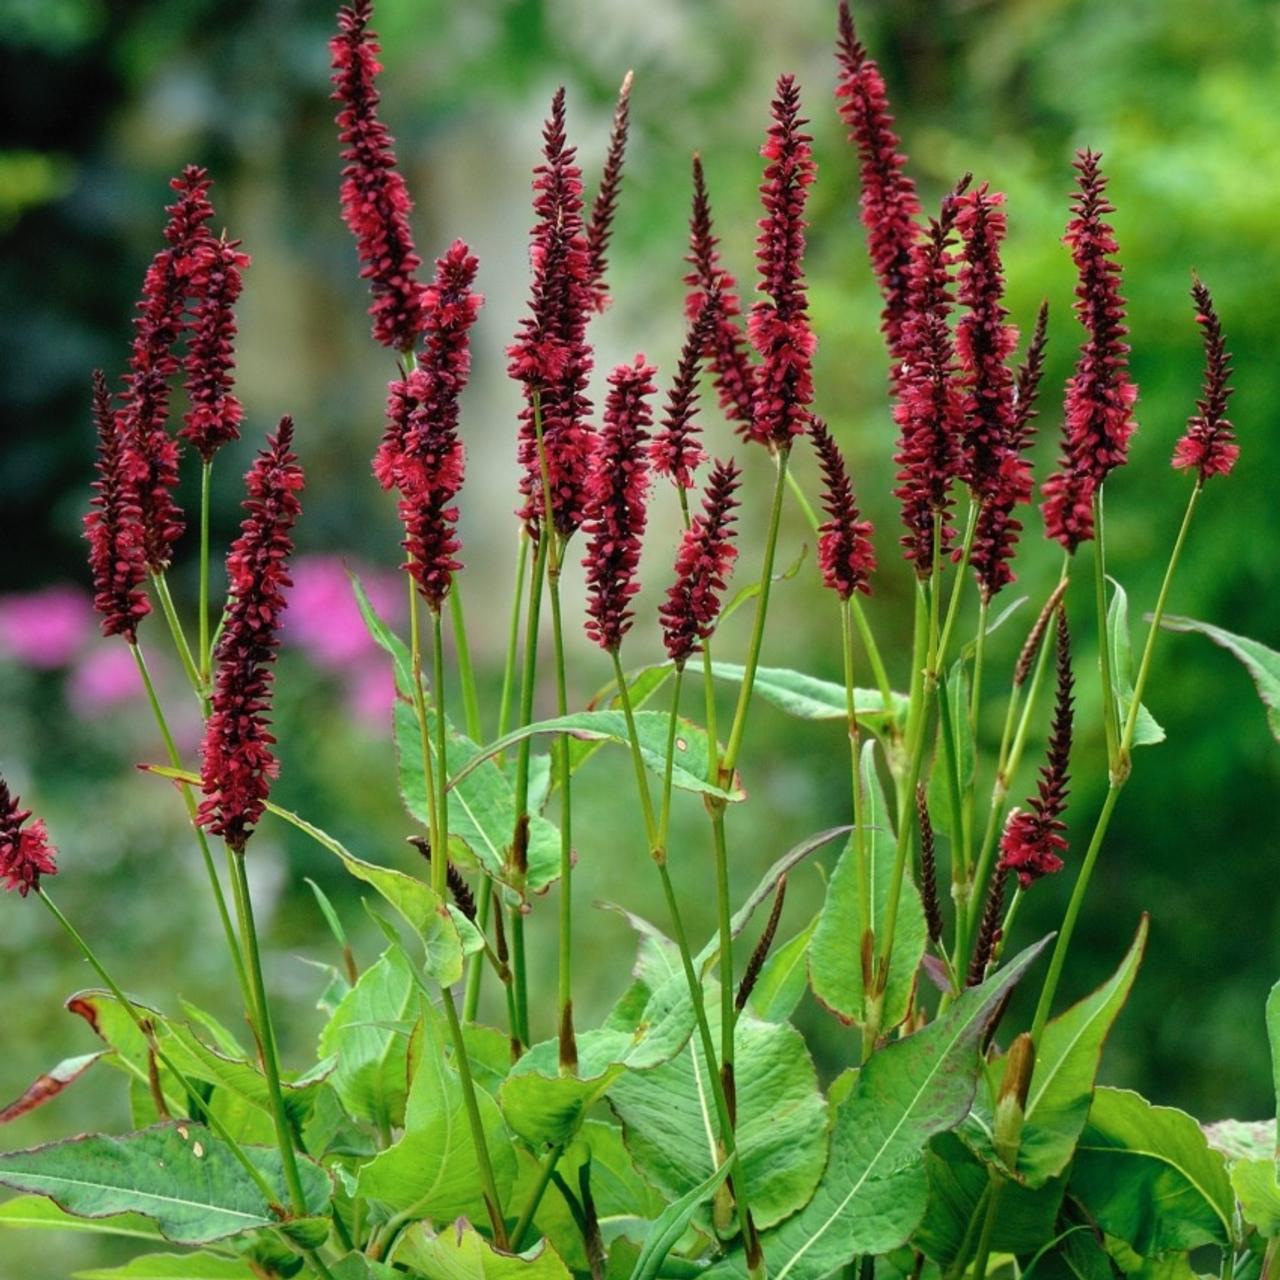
216, 414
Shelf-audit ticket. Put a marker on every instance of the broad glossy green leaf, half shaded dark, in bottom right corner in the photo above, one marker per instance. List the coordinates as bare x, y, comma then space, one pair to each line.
1149, 1176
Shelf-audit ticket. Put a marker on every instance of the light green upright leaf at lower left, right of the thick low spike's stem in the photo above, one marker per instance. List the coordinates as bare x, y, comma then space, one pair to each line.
369, 1034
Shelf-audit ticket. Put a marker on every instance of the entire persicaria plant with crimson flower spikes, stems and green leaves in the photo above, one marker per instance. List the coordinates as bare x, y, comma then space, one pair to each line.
461, 1122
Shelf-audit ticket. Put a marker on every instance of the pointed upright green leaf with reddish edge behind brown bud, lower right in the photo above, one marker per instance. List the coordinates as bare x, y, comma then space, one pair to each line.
1062, 1089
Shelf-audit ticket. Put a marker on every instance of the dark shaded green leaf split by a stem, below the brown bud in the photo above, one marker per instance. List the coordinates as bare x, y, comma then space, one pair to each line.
958, 1182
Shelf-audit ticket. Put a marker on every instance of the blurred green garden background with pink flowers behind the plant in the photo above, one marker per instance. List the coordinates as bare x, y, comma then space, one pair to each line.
100, 103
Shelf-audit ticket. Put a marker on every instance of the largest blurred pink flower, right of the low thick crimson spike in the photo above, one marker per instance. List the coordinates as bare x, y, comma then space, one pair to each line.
324, 620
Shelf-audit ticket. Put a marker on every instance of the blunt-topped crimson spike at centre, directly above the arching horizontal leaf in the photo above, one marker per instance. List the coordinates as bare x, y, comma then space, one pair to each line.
616, 505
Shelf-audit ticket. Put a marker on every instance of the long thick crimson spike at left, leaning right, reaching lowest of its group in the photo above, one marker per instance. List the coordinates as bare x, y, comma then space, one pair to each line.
237, 764
